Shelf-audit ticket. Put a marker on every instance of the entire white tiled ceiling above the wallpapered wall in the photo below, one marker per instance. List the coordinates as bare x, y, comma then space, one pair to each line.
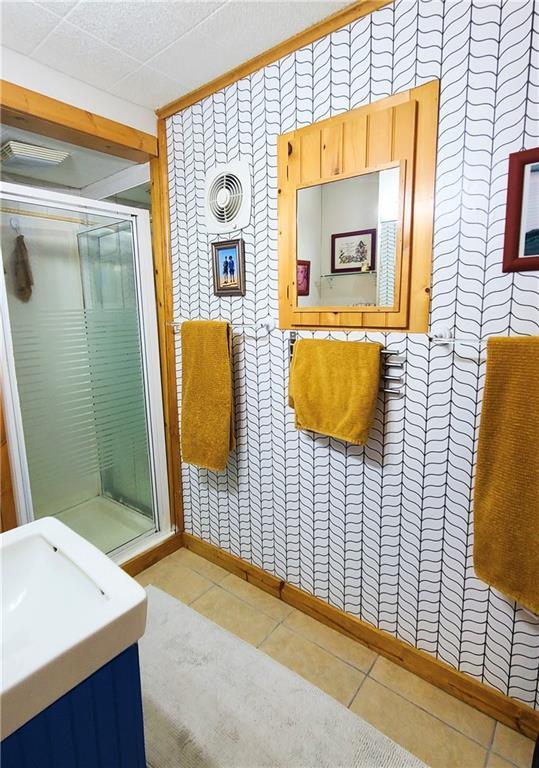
151, 51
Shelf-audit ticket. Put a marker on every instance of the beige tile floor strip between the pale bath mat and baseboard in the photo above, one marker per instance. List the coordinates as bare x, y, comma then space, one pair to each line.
441, 730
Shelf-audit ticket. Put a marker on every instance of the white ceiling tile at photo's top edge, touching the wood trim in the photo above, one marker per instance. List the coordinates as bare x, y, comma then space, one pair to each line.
253, 27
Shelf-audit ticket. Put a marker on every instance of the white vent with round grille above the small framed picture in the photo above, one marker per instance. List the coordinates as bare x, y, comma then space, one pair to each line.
228, 197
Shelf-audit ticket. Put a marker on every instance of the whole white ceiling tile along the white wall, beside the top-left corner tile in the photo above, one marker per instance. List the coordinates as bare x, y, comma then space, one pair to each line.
69, 50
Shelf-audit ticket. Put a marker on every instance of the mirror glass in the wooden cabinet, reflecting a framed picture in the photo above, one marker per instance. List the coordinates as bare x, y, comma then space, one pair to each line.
347, 241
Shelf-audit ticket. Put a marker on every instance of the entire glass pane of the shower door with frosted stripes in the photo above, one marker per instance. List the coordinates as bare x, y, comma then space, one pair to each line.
78, 361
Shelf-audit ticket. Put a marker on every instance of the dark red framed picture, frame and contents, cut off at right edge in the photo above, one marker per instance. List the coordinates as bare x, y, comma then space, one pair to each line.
521, 241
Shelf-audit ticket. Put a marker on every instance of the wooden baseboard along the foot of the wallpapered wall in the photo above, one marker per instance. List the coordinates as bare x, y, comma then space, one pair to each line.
514, 714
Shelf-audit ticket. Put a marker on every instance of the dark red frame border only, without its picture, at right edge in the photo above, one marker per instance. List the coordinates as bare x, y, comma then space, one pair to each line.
513, 258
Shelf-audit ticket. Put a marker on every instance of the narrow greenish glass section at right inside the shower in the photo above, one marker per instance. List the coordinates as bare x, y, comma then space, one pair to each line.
109, 294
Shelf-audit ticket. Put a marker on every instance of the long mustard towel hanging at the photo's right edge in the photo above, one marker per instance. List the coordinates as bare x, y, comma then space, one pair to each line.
506, 495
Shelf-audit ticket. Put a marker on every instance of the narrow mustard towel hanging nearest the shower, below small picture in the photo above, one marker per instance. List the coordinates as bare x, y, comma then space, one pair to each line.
207, 434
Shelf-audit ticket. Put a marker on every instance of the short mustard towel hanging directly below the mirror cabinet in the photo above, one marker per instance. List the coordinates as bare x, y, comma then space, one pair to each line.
334, 386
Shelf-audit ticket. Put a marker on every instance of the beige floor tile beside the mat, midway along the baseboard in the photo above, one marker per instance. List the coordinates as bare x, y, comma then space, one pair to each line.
313, 663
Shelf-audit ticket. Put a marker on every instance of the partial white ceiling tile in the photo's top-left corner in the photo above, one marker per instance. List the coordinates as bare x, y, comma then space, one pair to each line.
24, 25
